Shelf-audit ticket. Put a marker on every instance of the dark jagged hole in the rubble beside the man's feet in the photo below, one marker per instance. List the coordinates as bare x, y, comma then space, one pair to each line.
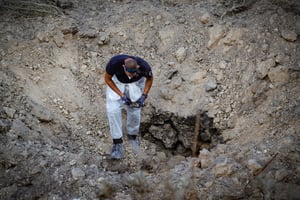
176, 134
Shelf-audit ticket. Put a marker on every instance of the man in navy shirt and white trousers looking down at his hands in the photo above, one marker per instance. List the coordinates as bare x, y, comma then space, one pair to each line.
129, 80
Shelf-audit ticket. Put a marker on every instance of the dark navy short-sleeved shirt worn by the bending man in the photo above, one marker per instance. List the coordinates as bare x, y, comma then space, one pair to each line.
115, 67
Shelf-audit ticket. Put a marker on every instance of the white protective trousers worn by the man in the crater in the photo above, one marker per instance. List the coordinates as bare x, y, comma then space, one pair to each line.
114, 106
